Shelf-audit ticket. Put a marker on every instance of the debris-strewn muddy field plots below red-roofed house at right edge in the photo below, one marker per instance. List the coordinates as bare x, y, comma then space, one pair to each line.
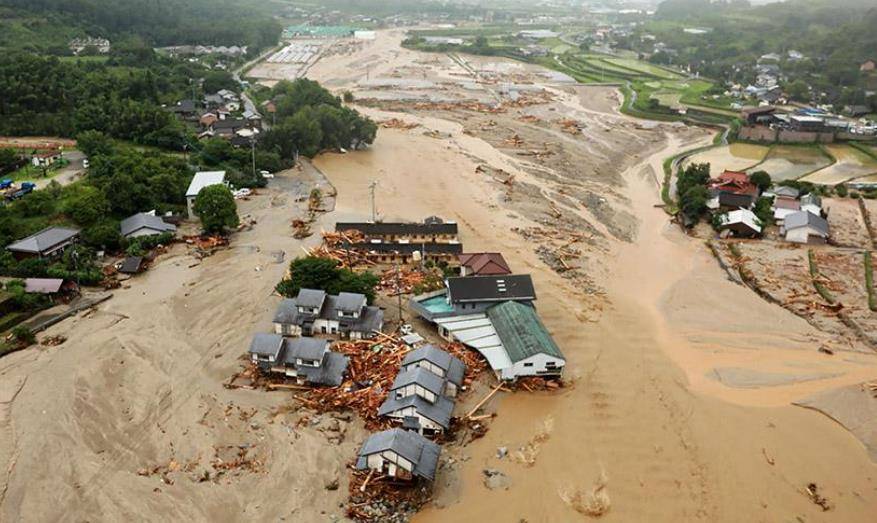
782, 271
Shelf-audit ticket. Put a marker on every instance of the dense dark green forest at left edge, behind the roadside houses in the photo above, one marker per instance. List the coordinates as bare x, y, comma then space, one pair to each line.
47, 96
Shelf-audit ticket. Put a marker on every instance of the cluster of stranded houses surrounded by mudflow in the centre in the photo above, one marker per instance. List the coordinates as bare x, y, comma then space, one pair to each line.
486, 308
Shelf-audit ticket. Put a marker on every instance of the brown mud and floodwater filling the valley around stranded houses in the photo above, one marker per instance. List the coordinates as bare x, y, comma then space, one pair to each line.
643, 326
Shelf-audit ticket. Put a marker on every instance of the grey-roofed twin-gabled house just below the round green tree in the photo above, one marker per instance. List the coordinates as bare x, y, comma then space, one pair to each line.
315, 312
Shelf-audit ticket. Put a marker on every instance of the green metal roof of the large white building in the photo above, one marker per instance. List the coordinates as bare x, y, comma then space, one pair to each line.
521, 331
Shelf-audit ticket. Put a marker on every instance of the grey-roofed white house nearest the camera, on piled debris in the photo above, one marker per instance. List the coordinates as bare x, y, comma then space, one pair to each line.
399, 454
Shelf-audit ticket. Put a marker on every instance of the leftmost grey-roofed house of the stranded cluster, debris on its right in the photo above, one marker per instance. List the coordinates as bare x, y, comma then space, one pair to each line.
308, 360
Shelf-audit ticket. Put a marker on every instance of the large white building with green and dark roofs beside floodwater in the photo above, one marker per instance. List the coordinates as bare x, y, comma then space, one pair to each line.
495, 316
